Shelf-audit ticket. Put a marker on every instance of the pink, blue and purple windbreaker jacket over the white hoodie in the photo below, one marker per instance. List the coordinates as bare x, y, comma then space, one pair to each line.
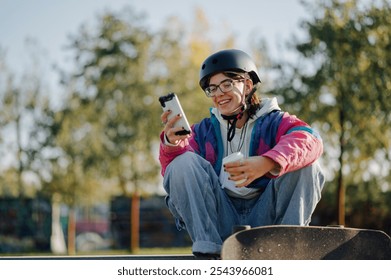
284, 138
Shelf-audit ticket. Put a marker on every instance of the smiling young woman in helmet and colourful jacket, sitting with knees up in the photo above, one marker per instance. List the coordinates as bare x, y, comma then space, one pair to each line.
277, 182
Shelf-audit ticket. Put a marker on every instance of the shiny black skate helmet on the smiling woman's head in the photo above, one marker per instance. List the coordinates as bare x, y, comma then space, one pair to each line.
228, 60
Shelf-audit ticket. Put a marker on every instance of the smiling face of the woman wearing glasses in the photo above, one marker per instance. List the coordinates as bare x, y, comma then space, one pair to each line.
230, 102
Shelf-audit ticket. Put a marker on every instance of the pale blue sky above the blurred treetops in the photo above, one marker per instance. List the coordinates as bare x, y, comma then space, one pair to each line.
50, 22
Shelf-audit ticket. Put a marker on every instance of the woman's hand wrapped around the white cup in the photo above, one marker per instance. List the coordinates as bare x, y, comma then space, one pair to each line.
249, 169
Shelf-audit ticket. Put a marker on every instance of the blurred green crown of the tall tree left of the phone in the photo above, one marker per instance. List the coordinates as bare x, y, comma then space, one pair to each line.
110, 112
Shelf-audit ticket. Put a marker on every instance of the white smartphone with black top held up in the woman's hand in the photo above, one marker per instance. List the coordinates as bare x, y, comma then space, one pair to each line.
171, 102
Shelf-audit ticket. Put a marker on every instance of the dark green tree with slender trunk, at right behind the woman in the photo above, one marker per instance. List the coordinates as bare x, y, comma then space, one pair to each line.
341, 84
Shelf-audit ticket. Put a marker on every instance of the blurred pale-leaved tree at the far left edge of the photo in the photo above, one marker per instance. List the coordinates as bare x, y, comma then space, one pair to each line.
22, 105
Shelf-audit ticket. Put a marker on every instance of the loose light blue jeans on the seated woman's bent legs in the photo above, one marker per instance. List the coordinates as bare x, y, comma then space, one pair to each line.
203, 208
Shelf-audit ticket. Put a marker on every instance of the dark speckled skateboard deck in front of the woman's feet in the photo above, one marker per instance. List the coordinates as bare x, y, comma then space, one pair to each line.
307, 243
